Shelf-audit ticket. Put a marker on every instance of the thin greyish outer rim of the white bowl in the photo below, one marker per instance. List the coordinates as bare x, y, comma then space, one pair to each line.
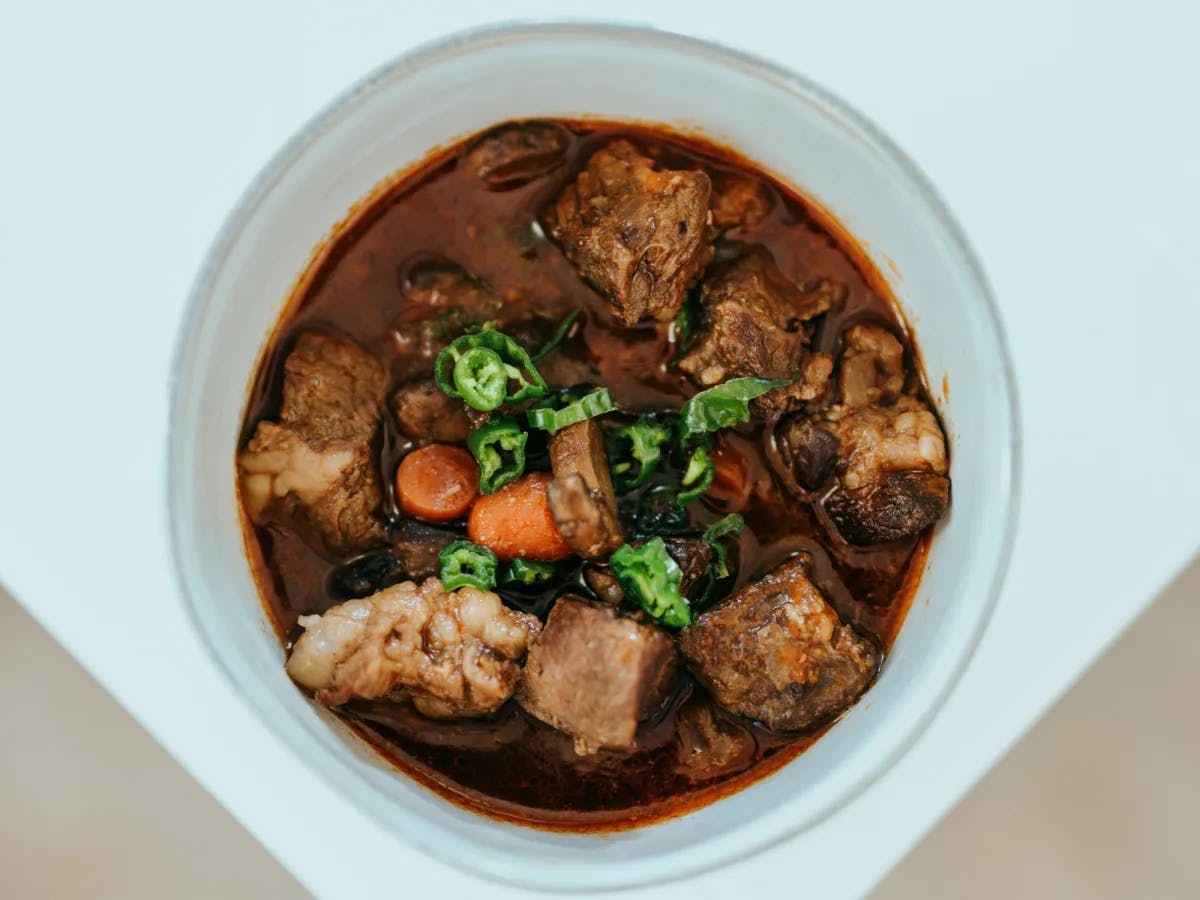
471, 40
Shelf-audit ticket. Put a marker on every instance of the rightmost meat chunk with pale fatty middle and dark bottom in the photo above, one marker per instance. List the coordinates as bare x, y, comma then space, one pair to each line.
892, 466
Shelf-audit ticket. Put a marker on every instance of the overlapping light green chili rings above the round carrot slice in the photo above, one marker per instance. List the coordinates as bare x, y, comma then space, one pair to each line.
479, 367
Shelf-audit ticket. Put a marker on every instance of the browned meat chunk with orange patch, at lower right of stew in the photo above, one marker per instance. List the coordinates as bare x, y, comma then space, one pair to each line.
777, 652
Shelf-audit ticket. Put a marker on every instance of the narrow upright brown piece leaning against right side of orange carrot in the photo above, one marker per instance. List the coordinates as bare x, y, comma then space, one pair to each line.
583, 497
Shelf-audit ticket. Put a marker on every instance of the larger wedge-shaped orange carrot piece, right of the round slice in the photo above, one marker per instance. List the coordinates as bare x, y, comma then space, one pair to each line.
517, 521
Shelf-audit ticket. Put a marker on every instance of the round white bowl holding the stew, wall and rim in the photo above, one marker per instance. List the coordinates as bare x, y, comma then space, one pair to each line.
440, 94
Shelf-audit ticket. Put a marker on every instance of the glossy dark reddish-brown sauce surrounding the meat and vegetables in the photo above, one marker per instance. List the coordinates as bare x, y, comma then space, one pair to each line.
514, 766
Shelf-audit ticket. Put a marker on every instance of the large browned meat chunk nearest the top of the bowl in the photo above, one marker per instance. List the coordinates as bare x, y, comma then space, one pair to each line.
641, 237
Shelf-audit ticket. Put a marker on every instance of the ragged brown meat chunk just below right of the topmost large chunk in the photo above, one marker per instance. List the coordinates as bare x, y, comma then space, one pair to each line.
754, 323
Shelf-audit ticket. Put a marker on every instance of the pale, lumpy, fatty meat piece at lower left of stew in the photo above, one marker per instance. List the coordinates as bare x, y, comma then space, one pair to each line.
454, 655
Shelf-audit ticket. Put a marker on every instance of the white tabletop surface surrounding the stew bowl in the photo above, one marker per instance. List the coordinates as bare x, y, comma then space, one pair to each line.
1066, 141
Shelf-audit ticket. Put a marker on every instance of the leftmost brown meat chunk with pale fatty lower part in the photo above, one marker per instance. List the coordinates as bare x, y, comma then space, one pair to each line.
316, 463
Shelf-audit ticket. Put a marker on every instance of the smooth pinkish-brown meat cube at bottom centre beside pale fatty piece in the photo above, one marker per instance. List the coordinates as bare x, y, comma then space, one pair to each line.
596, 675
